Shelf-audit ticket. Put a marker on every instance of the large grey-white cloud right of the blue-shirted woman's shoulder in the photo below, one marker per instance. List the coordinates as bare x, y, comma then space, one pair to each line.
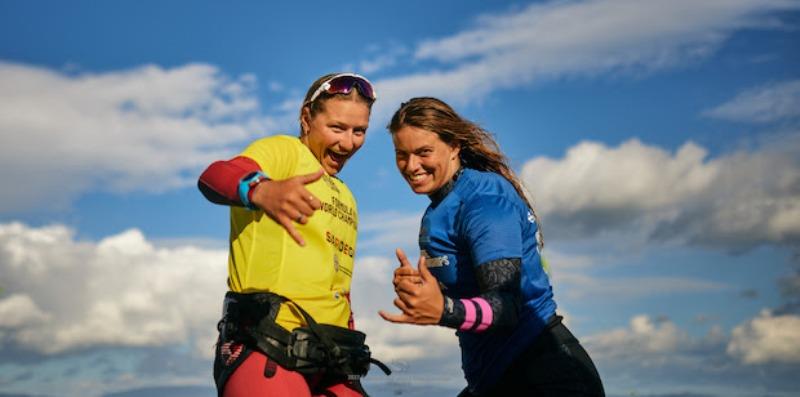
734, 201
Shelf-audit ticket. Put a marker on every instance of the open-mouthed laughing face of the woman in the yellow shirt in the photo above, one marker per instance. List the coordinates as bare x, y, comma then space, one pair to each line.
336, 133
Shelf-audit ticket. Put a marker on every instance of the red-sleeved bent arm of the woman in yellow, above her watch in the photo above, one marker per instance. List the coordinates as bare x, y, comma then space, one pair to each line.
219, 183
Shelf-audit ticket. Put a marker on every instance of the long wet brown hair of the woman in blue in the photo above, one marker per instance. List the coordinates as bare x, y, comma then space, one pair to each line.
478, 149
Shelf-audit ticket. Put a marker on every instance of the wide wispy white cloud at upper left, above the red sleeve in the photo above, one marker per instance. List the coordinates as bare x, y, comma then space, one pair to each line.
146, 128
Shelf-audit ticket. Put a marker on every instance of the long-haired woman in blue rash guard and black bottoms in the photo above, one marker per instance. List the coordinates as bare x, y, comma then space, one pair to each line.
480, 270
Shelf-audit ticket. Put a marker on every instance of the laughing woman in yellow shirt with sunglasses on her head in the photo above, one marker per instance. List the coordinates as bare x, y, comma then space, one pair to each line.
292, 242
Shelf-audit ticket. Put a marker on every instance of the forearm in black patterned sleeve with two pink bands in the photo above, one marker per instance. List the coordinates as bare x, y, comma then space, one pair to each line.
496, 306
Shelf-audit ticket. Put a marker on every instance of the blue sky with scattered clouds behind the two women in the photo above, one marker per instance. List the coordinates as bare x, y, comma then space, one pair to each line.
660, 141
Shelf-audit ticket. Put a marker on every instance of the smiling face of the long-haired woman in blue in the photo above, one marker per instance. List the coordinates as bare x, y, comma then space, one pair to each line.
423, 159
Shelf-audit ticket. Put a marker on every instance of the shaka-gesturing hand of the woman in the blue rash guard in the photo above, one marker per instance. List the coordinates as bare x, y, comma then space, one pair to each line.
421, 303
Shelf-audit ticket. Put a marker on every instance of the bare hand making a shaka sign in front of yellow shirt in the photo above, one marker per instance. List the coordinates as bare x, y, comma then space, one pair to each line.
288, 201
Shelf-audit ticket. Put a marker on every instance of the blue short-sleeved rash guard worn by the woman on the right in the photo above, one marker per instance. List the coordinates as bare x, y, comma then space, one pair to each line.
483, 219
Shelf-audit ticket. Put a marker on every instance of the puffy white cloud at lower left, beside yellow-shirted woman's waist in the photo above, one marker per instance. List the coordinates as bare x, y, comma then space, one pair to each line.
62, 294
